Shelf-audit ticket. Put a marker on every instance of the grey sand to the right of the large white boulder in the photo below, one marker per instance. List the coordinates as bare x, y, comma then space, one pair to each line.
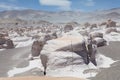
112, 73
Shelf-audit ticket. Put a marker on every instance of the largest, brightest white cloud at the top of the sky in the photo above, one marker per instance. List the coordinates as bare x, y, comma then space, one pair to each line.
62, 4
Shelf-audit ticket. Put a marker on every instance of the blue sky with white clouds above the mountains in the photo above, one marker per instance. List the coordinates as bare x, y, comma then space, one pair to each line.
59, 5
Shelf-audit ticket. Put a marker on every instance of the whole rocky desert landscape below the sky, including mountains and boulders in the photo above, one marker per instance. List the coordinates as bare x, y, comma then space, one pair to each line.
69, 45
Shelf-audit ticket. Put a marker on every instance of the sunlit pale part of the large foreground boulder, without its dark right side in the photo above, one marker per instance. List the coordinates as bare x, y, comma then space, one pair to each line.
62, 61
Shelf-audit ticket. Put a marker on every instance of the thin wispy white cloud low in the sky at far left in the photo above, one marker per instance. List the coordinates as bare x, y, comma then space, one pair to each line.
4, 6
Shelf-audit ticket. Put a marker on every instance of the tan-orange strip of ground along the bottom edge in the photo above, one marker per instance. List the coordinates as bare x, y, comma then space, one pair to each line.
39, 78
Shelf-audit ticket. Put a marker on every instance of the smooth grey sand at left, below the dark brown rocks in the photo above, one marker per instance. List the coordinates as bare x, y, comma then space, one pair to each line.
13, 58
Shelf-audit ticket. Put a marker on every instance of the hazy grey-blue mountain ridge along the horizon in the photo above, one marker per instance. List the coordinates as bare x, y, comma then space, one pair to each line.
63, 16
